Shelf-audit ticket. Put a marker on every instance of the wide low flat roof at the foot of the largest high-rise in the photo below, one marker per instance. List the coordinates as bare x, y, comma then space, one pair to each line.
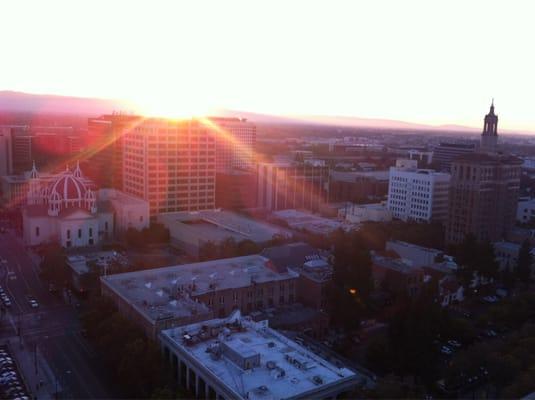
216, 225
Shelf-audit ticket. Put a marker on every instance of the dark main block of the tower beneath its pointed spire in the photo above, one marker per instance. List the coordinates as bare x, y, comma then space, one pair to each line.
483, 196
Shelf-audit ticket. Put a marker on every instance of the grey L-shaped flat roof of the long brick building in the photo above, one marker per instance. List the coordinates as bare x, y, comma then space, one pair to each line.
167, 292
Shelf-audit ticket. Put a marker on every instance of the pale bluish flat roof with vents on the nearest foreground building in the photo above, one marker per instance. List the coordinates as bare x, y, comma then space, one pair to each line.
285, 369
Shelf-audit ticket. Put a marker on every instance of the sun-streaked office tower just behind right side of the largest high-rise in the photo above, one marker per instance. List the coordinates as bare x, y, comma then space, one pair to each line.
235, 142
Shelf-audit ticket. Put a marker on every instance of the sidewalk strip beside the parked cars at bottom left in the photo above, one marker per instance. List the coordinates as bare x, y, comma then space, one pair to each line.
36, 372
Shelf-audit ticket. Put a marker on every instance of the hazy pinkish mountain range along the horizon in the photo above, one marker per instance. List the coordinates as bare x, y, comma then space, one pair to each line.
52, 104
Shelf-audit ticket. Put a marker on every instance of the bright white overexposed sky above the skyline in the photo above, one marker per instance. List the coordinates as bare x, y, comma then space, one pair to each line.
432, 62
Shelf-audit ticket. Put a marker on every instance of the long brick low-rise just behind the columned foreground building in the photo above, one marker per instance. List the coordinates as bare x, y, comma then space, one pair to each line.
172, 296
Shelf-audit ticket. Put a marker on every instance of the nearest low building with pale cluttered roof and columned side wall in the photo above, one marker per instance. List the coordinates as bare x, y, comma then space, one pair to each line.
237, 358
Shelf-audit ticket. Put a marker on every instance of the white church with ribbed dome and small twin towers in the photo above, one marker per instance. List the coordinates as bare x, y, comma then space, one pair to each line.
68, 210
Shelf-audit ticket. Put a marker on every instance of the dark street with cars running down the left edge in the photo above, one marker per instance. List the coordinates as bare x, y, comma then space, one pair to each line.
52, 328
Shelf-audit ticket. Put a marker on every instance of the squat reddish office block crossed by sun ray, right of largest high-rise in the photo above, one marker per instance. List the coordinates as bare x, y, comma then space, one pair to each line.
284, 185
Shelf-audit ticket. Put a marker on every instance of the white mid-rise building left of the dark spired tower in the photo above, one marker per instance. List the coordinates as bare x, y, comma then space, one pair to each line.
417, 194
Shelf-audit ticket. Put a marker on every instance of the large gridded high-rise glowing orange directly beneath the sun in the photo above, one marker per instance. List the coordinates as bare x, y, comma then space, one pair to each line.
170, 163
